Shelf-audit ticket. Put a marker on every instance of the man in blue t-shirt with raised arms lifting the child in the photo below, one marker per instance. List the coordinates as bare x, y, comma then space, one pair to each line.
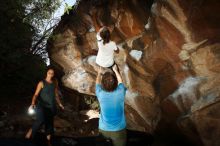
110, 92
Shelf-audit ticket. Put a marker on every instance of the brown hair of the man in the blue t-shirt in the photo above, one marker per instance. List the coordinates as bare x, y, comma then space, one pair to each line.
109, 81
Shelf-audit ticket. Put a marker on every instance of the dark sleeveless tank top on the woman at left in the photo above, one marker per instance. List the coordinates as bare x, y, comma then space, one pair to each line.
47, 95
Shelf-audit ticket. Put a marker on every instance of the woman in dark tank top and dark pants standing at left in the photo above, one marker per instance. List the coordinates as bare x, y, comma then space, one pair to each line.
47, 90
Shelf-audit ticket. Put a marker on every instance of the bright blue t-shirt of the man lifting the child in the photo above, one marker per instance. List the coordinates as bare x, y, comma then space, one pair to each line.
112, 117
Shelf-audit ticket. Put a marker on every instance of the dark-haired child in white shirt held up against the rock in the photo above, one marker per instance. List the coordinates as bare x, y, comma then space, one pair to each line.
106, 48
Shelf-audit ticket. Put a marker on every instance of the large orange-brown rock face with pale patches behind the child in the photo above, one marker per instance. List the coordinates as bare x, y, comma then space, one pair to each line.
169, 58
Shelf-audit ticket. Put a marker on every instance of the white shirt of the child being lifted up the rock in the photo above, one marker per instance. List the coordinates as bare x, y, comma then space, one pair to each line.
105, 57
